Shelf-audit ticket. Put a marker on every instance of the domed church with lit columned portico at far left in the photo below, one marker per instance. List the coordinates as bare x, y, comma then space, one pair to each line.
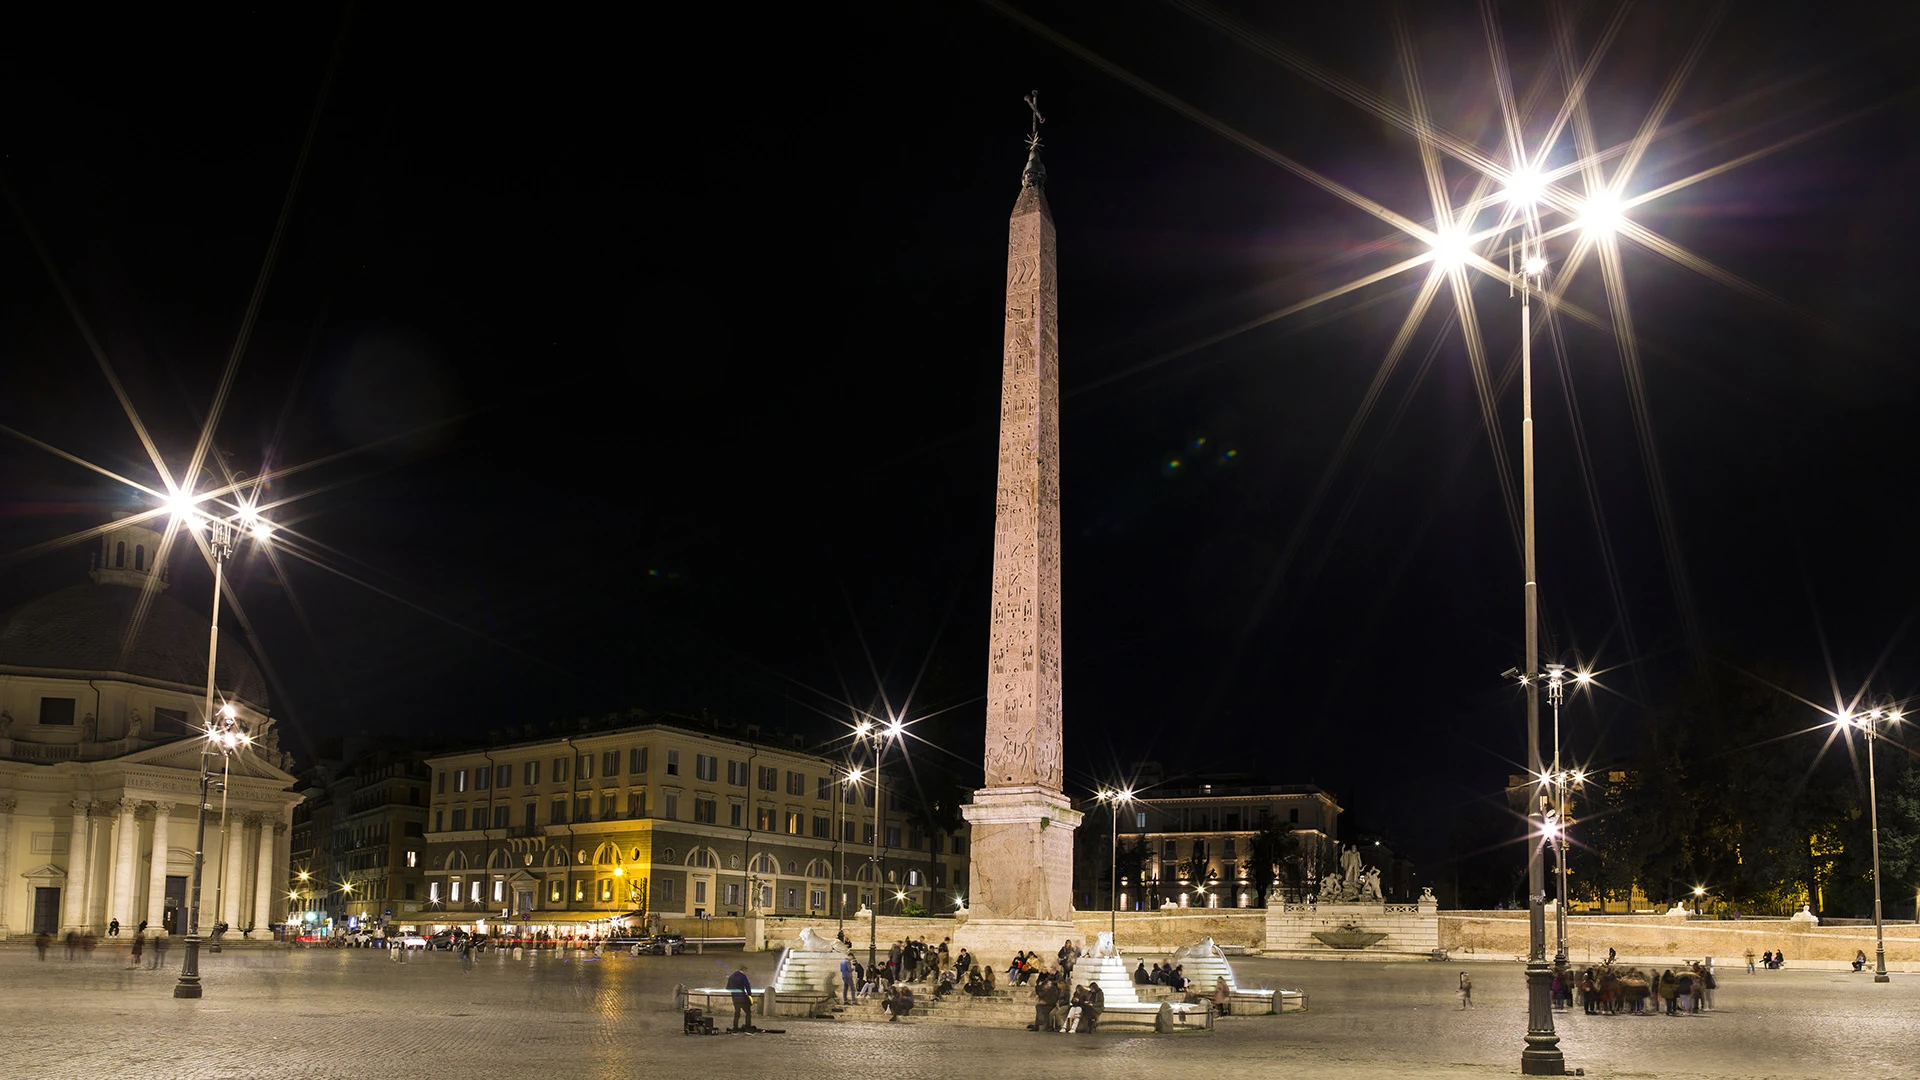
103, 699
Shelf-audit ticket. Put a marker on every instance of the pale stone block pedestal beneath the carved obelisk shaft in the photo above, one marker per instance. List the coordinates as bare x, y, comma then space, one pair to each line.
1020, 873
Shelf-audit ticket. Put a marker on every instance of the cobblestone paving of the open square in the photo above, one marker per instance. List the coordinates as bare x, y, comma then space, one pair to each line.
352, 1014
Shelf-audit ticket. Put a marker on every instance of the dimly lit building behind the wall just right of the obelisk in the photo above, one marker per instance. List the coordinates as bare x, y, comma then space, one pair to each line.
1197, 837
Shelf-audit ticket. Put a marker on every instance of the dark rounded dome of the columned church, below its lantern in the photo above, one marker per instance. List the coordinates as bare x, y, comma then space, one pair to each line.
82, 633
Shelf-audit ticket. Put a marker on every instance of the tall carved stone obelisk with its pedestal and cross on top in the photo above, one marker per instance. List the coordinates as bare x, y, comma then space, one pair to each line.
1022, 827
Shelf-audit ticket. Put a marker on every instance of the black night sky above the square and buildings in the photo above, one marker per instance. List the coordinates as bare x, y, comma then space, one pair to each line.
658, 366
